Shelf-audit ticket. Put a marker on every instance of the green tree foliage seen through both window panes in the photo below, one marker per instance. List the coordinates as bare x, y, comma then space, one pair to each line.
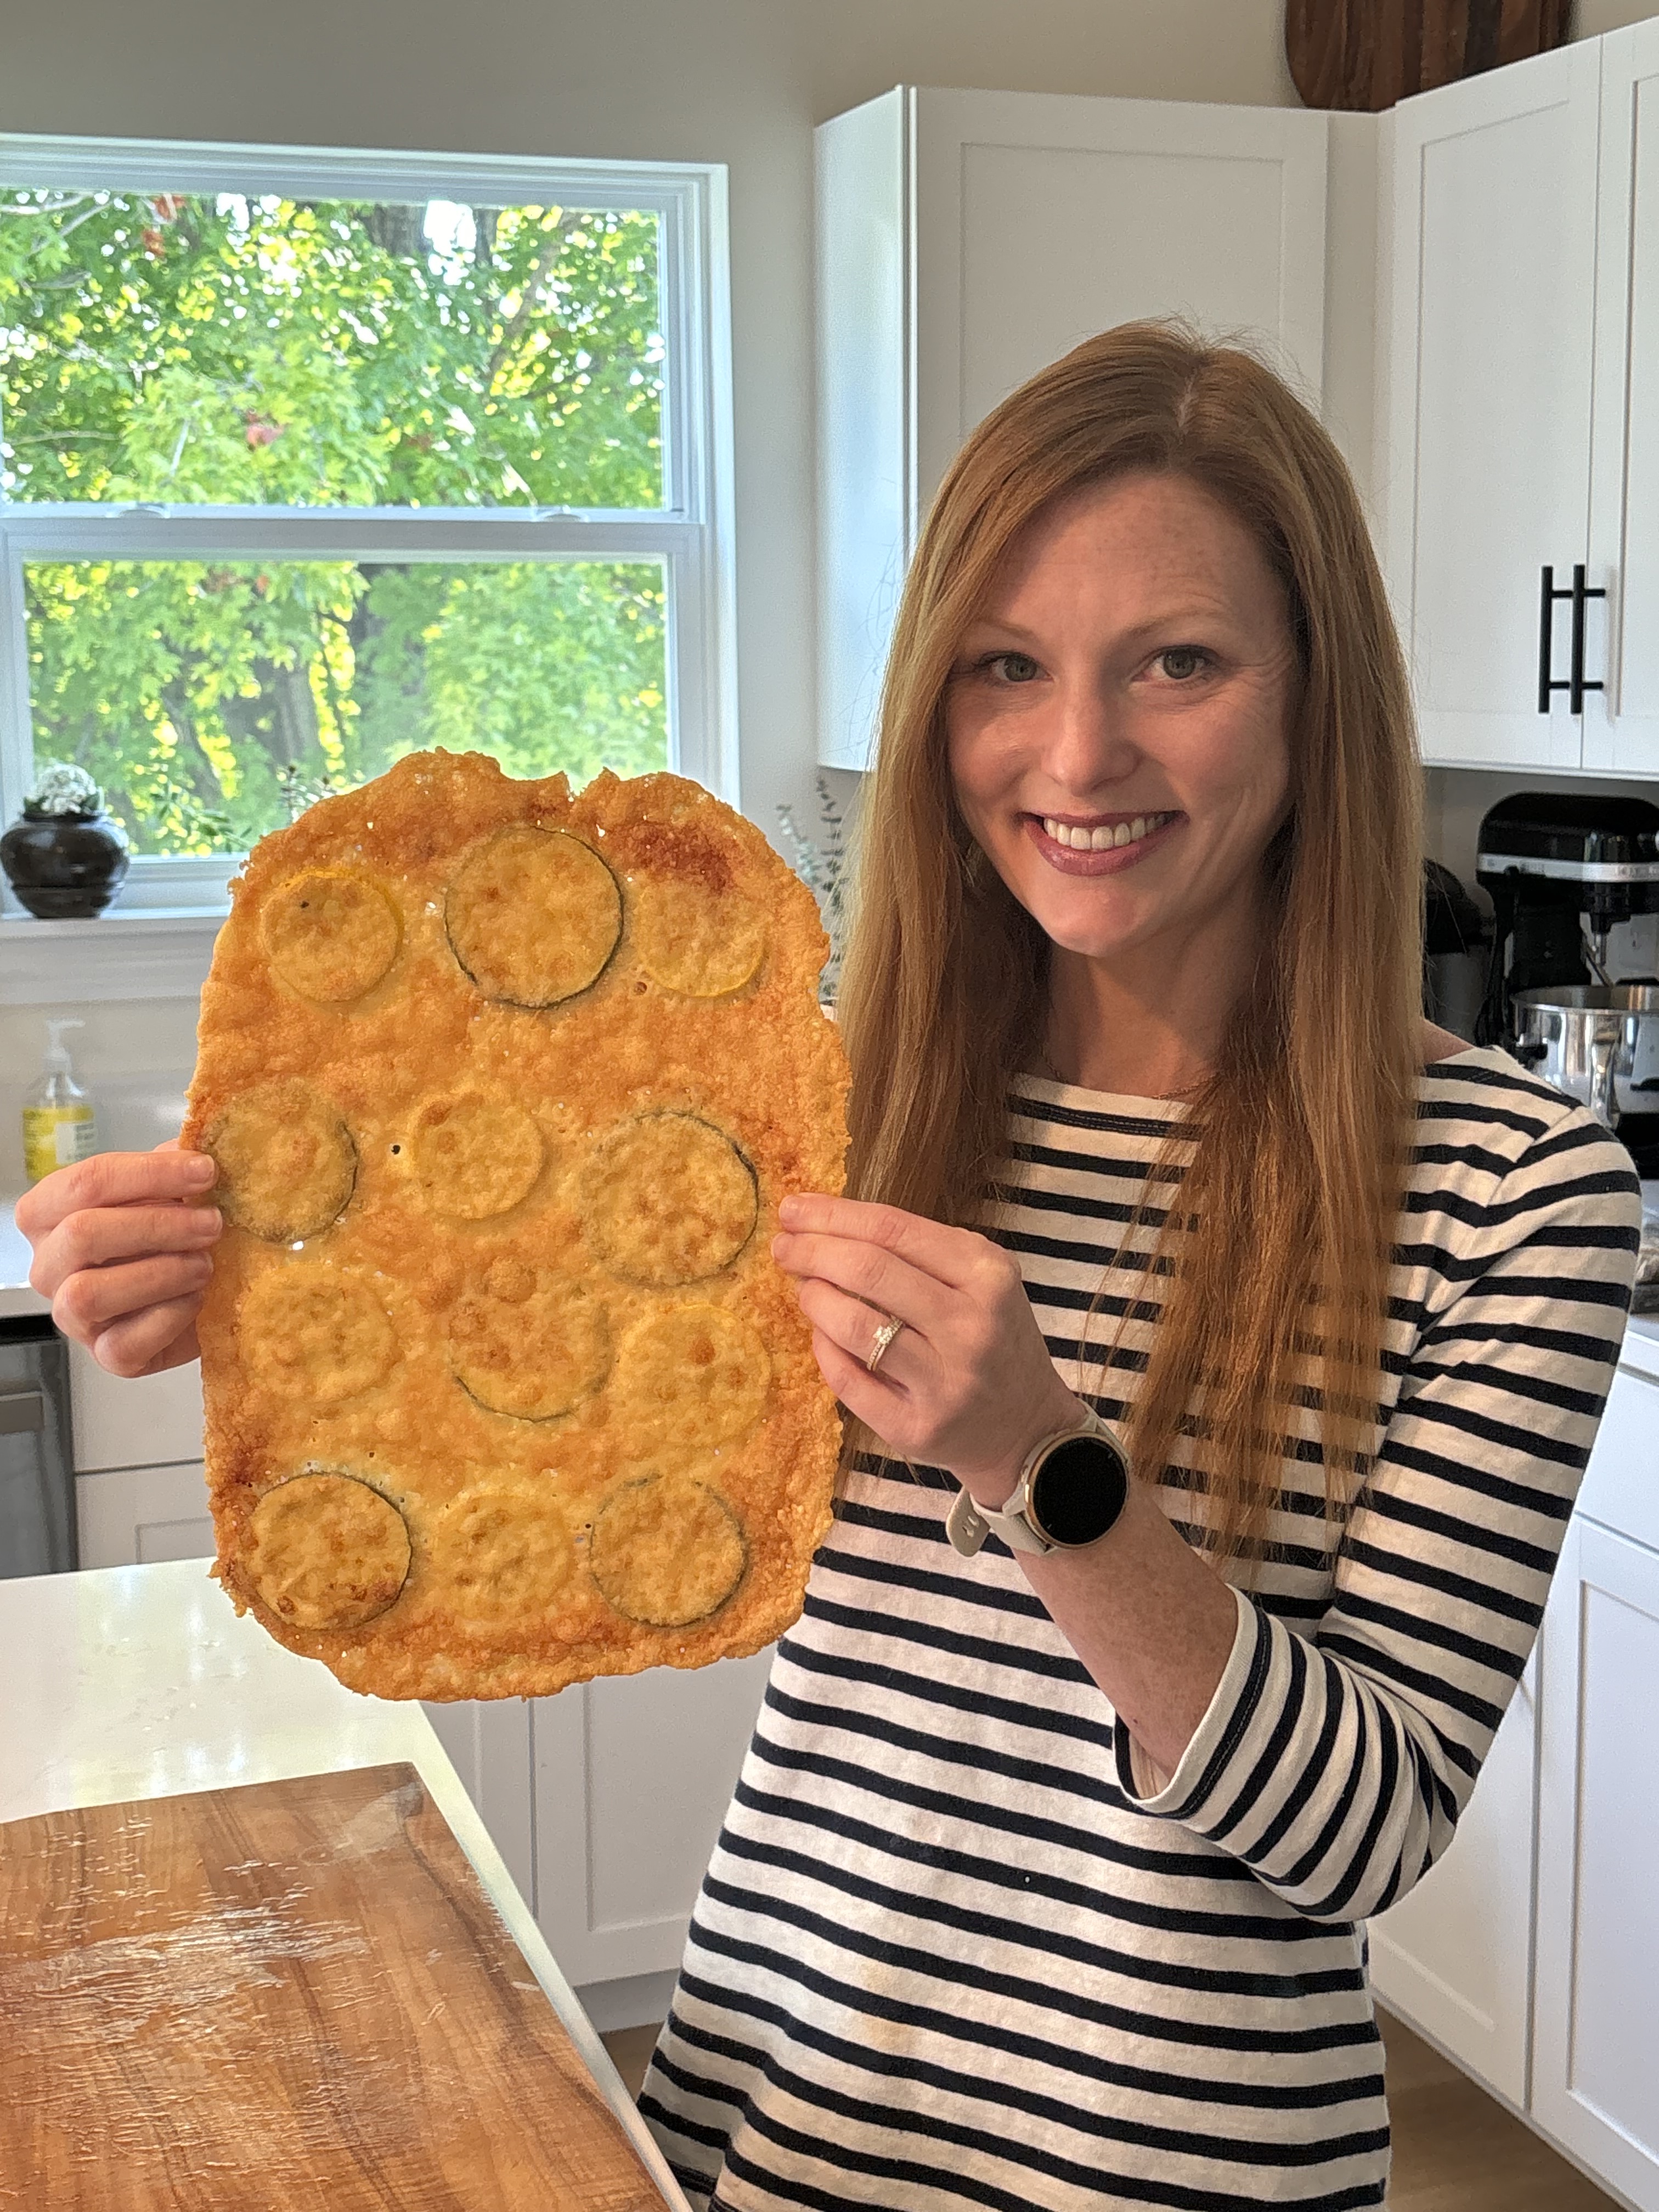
253, 353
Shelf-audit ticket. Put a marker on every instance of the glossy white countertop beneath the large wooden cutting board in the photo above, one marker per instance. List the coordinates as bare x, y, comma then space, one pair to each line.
140, 1682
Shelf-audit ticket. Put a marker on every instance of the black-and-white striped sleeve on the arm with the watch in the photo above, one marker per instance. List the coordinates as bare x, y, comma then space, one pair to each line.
1335, 1764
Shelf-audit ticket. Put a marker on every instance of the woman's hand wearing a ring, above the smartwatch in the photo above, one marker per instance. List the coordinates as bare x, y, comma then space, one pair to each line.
968, 1384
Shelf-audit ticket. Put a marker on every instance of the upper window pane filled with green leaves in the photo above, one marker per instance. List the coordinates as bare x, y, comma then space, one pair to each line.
262, 351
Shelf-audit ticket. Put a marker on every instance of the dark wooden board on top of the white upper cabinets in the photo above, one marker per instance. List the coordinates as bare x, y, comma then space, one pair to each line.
1368, 54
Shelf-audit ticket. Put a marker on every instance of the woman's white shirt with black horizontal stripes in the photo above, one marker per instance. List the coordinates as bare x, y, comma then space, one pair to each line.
959, 1943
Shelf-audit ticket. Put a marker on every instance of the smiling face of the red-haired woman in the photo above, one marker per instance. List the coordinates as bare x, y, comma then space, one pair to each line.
1118, 720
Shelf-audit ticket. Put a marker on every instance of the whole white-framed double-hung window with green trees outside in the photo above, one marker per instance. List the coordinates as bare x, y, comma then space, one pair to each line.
315, 459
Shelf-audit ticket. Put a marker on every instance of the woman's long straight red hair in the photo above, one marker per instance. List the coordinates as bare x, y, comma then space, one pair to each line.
1275, 1266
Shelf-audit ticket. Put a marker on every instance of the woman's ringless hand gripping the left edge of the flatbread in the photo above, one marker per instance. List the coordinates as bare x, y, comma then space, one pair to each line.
125, 1255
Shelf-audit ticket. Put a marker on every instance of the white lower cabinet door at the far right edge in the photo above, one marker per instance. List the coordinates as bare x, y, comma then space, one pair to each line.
1596, 2023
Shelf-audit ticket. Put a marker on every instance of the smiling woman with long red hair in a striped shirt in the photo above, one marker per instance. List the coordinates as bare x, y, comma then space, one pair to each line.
1047, 1868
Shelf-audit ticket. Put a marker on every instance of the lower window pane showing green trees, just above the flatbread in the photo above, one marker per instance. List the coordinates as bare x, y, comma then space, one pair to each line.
216, 700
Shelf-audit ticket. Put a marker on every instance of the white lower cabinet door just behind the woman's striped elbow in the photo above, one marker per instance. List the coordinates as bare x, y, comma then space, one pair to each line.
1454, 1959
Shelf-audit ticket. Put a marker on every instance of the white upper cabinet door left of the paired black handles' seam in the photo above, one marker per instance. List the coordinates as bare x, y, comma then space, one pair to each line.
1490, 344
